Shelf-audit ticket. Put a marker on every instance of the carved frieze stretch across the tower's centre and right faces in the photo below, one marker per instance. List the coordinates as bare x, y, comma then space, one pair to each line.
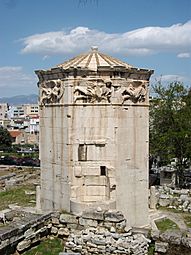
109, 92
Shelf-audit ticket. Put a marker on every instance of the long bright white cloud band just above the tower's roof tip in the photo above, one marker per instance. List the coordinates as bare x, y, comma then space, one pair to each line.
142, 41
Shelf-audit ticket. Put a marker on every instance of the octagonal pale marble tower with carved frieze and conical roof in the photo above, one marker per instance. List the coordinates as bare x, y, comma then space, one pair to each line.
94, 136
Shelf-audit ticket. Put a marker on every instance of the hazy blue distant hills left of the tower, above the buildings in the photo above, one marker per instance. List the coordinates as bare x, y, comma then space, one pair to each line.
21, 99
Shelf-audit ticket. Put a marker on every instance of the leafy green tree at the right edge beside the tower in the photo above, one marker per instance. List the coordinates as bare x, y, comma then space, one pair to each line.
170, 125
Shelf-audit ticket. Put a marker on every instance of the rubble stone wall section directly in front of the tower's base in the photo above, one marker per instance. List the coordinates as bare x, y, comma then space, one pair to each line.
100, 232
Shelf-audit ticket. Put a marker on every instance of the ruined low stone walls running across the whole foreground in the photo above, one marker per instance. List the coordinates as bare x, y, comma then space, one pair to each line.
92, 232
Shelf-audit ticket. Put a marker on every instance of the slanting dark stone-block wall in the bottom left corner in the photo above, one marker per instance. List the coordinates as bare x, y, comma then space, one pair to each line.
23, 232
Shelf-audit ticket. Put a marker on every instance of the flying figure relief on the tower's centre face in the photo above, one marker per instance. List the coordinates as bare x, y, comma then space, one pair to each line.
92, 92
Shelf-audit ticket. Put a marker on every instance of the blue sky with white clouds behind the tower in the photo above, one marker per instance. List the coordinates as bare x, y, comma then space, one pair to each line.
39, 34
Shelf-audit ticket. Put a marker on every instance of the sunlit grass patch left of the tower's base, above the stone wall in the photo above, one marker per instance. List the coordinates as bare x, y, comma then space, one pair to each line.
17, 195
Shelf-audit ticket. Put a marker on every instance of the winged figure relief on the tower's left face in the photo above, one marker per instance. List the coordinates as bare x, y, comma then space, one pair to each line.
51, 92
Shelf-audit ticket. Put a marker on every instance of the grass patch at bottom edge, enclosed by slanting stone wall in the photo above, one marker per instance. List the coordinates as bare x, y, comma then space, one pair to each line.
47, 247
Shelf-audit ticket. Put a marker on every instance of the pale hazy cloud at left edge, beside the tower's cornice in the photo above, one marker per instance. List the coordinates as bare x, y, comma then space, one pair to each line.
13, 80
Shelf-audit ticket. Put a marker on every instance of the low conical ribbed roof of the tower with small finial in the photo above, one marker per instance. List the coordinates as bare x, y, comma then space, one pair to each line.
93, 60
